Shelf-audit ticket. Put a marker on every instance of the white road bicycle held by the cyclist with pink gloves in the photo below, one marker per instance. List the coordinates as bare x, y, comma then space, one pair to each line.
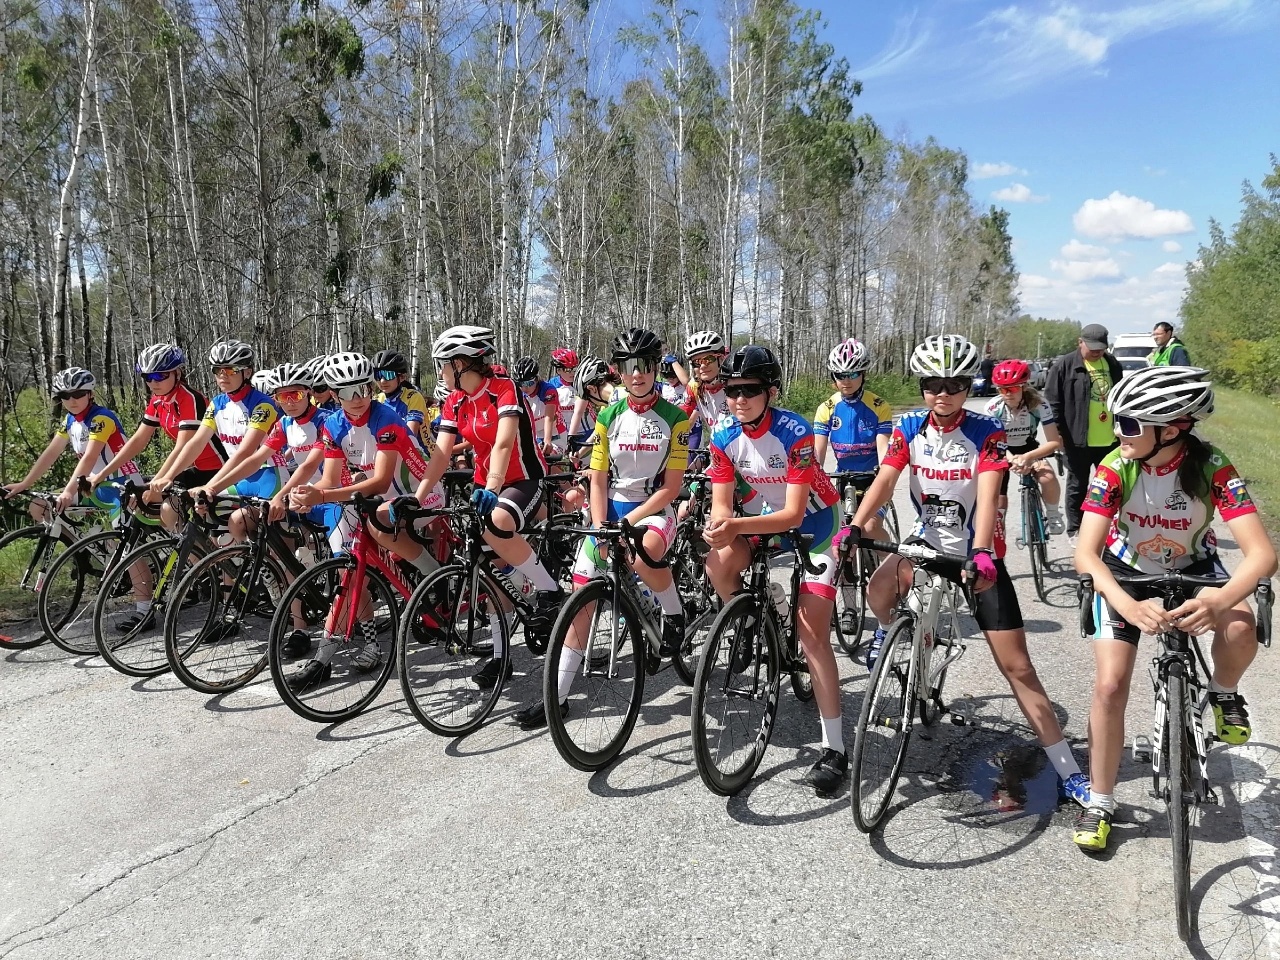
909, 676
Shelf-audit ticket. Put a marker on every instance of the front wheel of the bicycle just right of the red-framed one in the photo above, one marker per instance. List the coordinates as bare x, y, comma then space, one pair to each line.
447, 630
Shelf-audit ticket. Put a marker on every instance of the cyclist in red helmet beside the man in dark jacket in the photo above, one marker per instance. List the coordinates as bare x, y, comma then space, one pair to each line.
1023, 412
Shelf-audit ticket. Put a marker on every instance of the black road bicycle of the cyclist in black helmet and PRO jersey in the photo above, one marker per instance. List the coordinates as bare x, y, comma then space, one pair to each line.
751, 644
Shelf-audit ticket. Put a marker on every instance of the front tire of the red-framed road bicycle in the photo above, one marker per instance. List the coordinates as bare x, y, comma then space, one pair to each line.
321, 591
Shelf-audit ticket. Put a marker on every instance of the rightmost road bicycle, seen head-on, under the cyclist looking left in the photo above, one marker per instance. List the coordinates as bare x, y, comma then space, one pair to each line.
1181, 732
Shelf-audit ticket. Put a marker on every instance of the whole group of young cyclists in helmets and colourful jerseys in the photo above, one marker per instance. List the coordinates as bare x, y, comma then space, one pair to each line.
312, 437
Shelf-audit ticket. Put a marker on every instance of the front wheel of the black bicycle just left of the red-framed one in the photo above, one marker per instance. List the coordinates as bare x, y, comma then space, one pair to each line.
217, 634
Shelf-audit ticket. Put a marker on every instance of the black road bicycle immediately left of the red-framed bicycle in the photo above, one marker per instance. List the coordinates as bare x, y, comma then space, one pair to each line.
218, 628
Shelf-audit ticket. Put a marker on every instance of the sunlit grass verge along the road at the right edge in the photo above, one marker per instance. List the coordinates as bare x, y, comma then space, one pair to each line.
1245, 427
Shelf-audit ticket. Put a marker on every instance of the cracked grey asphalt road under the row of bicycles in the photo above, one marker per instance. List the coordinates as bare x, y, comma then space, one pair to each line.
144, 820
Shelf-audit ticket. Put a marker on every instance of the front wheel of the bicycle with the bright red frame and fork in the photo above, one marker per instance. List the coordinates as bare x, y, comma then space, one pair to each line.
353, 641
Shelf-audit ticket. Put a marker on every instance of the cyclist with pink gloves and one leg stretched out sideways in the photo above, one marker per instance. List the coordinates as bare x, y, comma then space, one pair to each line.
956, 459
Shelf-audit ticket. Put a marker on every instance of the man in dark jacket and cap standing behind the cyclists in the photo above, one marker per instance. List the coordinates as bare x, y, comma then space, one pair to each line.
1077, 391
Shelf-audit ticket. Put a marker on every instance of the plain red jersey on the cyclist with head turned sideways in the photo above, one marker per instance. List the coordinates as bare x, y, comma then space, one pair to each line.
476, 418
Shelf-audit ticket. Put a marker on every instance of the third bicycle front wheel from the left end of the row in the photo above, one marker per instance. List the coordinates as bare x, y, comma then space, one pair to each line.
138, 652
